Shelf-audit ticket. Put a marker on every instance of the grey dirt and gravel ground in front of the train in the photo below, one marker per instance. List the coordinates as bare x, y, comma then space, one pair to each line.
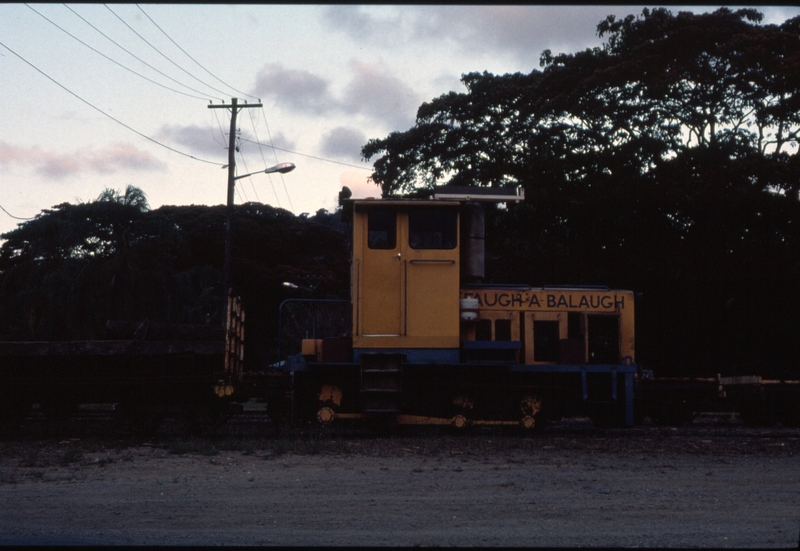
570, 486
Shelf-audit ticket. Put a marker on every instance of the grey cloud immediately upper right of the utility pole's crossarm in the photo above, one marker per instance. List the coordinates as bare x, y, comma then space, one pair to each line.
294, 88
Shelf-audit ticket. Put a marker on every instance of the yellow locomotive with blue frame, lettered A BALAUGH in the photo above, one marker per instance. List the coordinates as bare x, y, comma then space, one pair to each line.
431, 344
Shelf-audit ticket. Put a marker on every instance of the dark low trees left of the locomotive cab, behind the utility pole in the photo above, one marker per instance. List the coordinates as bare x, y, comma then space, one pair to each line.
75, 266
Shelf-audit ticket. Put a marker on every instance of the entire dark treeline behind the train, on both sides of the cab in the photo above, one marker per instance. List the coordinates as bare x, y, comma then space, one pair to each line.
663, 162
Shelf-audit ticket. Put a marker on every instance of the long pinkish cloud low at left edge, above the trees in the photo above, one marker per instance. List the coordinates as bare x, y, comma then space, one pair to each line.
117, 156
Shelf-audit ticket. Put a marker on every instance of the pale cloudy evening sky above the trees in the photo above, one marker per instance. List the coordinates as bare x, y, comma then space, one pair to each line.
100, 96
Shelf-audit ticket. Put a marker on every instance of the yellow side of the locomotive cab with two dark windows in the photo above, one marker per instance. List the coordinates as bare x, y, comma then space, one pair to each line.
406, 276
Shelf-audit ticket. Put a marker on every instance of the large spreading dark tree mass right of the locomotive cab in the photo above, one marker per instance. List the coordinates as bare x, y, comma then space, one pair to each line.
663, 162
